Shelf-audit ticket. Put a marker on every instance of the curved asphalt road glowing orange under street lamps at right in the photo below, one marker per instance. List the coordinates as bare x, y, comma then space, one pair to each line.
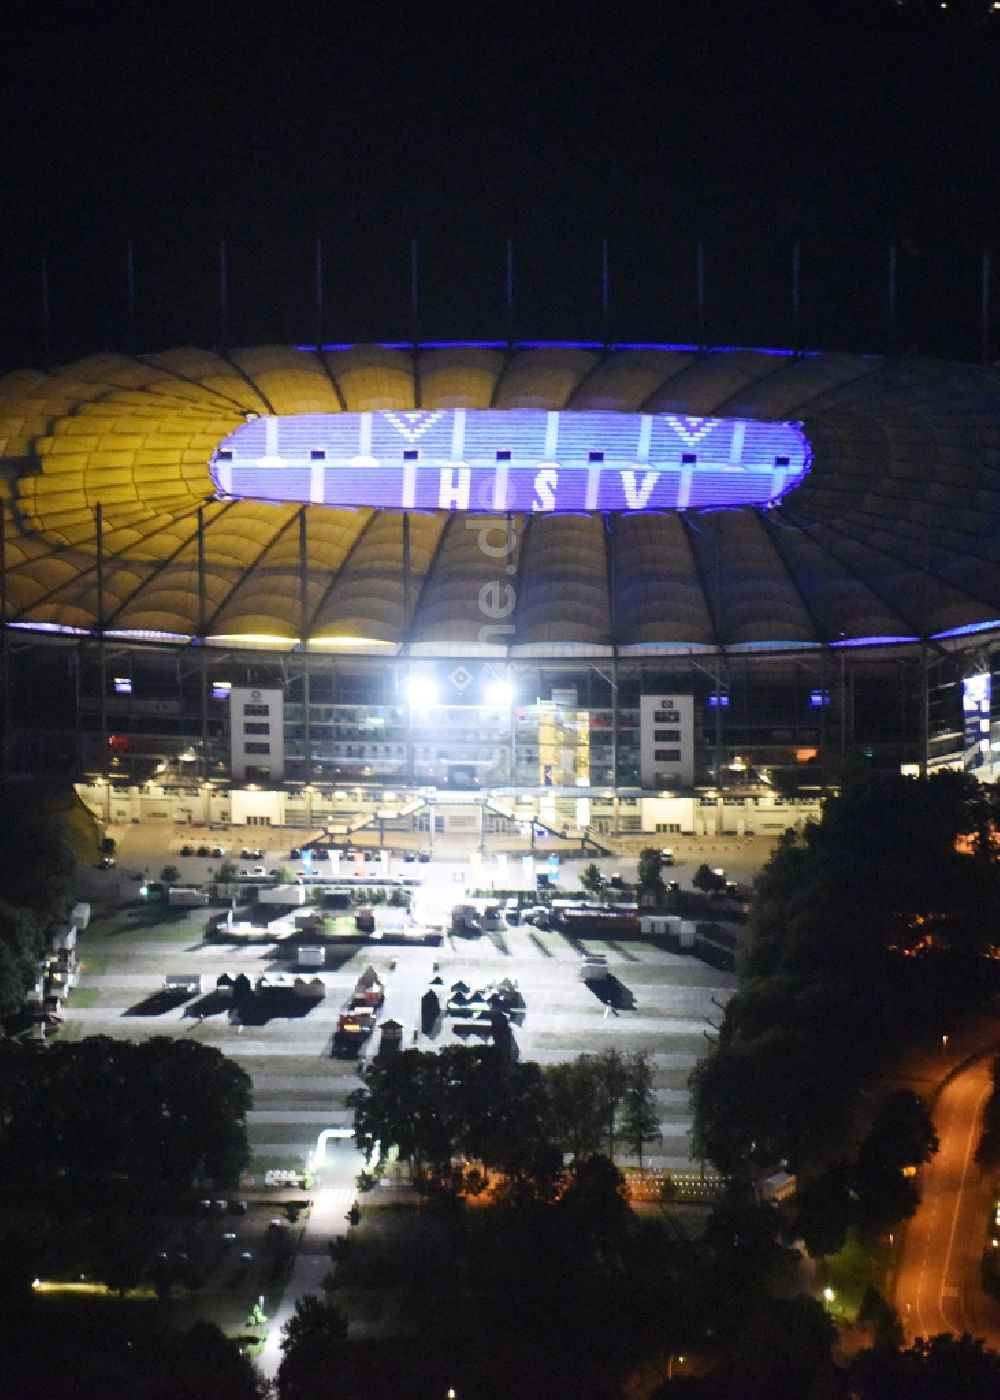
938, 1282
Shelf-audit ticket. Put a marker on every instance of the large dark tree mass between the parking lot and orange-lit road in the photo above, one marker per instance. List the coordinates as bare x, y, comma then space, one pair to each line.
868, 929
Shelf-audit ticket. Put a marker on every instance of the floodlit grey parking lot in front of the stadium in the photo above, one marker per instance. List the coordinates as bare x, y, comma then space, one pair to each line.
660, 1002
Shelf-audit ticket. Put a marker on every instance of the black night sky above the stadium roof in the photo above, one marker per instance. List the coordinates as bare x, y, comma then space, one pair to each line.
750, 127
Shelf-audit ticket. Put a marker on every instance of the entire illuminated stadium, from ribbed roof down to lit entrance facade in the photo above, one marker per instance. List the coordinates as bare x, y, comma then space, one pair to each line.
617, 589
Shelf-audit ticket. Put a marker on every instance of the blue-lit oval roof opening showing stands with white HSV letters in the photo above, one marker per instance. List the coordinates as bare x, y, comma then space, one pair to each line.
519, 460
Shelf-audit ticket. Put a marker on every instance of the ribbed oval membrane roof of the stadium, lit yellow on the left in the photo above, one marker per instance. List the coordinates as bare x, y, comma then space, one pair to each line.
893, 535
